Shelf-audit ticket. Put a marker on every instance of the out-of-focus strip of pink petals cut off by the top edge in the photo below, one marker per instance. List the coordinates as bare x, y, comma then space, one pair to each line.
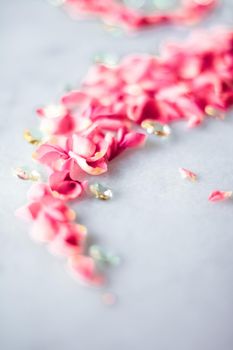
117, 13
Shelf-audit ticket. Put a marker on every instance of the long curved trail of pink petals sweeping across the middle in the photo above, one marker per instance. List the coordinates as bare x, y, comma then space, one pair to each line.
91, 126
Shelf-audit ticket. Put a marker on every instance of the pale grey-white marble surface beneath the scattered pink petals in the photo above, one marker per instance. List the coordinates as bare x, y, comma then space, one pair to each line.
175, 287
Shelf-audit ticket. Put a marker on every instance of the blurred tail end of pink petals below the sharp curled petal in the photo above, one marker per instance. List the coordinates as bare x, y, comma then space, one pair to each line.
53, 224
